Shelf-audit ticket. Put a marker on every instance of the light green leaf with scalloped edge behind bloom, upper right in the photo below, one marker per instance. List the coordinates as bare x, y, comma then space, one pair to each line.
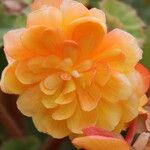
121, 15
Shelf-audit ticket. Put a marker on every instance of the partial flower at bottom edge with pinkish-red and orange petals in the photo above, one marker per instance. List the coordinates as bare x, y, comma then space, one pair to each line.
97, 139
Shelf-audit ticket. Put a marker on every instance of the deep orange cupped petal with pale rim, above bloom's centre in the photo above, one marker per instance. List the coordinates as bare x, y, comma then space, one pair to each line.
87, 32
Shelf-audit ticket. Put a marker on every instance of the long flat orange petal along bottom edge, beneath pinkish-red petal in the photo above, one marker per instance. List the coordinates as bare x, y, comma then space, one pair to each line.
100, 143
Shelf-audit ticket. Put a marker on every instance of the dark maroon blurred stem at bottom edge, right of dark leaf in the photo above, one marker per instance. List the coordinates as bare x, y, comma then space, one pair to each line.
52, 144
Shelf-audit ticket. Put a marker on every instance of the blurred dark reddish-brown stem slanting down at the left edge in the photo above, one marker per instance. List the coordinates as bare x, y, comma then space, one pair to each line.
9, 123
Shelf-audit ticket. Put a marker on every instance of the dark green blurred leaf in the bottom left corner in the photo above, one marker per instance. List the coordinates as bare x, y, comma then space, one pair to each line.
29, 143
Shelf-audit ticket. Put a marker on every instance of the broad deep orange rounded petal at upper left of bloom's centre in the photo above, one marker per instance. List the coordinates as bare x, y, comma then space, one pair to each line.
42, 40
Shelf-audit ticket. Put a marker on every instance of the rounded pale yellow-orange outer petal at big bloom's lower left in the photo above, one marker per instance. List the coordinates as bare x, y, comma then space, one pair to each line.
28, 101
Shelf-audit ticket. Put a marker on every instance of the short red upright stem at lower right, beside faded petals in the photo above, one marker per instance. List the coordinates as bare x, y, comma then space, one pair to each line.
131, 131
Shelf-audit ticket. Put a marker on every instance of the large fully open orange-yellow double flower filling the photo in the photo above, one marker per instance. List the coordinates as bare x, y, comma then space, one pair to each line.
70, 73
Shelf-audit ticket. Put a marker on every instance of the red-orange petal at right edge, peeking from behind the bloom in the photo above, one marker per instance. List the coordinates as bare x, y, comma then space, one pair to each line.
145, 74
